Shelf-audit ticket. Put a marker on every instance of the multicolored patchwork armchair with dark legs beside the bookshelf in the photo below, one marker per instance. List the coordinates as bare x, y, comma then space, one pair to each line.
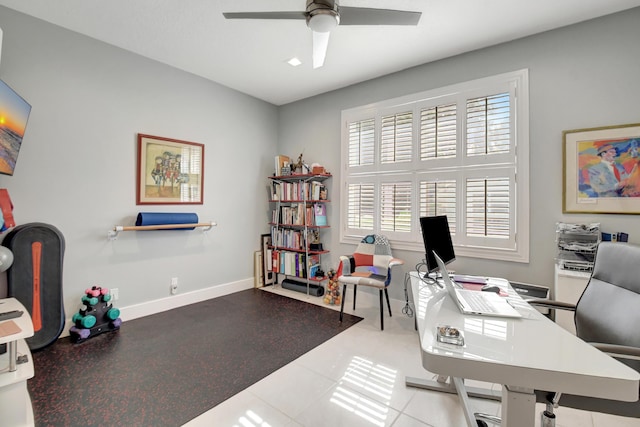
370, 265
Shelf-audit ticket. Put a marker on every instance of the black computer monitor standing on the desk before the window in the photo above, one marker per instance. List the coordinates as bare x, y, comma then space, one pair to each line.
436, 237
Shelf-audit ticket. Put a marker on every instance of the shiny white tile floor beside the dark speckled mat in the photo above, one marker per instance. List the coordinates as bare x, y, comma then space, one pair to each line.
358, 379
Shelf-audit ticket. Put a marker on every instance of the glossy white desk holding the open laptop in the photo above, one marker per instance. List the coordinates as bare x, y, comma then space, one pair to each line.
523, 355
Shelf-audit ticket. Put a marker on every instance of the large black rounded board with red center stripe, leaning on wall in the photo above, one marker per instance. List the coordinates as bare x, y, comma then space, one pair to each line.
35, 278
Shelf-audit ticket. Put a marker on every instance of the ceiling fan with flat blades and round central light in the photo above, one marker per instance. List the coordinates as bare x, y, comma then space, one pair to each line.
324, 15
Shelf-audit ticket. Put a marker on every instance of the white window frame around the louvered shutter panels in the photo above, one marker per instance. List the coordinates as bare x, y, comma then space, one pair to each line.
515, 165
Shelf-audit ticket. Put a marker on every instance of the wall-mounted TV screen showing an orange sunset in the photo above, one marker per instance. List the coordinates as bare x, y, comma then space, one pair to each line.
14, 113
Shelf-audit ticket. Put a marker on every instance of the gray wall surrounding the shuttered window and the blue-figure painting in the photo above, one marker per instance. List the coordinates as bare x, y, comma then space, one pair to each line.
581, 76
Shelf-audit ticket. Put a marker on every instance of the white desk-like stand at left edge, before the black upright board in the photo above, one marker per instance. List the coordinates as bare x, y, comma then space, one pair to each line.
15, 404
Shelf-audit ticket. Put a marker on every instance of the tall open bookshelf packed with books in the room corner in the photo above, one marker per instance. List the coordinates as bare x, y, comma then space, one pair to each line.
298, 220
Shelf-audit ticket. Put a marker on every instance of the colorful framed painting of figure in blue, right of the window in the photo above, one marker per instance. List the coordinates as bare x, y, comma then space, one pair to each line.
601, 173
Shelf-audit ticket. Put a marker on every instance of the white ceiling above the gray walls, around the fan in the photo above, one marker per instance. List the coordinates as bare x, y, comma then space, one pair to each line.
251, 55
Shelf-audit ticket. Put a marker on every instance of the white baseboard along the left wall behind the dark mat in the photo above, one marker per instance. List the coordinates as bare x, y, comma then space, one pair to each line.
174, 301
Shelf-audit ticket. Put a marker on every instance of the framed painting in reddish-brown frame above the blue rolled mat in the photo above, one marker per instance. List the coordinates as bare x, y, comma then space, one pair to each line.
170, 171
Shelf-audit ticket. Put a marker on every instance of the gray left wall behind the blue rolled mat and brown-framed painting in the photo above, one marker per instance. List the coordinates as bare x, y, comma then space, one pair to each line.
77, 166
